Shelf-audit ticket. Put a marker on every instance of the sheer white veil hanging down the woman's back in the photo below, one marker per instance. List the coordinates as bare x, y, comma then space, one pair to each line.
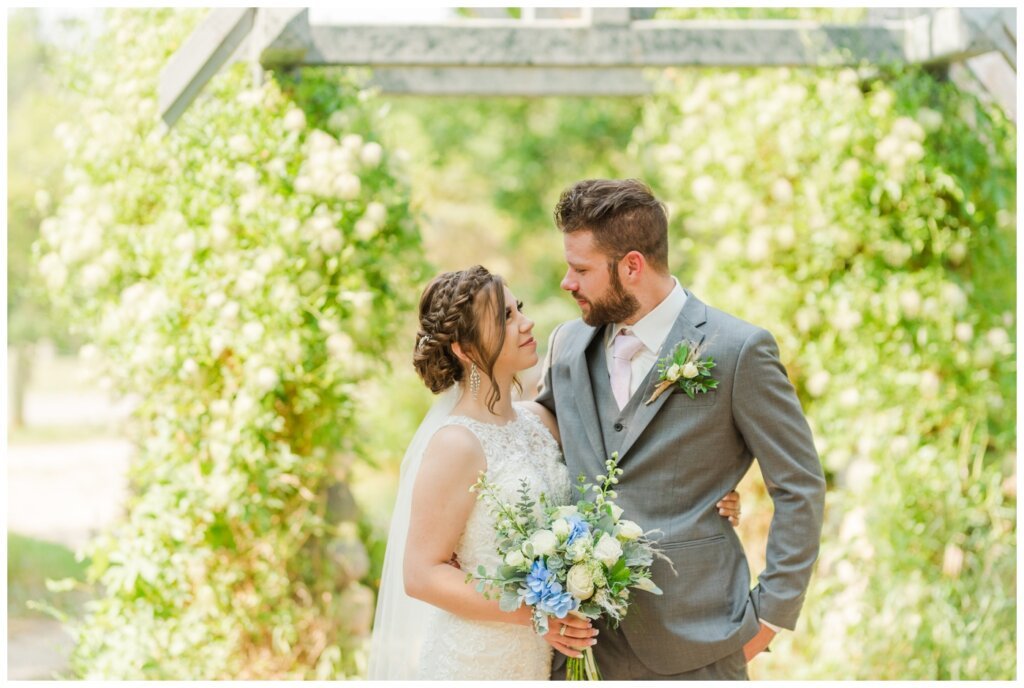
400, 620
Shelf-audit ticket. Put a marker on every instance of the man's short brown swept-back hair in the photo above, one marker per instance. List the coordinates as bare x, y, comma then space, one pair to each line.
623, 214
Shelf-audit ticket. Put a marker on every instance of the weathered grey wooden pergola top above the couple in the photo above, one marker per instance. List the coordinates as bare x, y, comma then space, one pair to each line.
590, 52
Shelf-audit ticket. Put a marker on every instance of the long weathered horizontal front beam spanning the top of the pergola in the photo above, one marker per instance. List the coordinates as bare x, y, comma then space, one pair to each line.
577, 45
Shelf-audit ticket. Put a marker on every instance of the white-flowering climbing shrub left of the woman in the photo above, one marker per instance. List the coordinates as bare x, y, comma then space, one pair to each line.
239, 277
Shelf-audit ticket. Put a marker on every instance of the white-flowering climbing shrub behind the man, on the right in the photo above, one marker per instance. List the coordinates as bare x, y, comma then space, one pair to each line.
870, 224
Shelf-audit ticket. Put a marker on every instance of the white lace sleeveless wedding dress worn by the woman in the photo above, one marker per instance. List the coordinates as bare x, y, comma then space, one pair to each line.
456, 649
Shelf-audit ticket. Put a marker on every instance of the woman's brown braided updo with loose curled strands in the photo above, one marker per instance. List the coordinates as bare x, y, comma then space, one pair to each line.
452, 310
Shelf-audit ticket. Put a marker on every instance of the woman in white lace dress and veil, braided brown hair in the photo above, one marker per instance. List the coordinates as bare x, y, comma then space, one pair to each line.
430, 623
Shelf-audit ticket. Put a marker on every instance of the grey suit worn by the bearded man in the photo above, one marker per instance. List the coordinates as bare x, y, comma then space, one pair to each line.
680, 457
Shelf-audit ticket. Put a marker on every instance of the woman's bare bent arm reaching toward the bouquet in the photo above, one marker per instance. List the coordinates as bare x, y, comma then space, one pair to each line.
442, 504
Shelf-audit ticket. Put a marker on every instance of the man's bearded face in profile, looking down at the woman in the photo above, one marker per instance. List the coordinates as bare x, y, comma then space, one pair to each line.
592, 278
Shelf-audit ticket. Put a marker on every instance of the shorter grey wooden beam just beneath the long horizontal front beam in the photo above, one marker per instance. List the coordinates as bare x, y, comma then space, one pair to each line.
513, 81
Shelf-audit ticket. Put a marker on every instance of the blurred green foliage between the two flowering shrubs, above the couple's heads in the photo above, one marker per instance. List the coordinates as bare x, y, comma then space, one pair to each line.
489, 171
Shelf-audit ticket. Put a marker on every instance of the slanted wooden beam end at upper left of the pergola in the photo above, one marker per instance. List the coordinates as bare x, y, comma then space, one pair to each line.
200, 58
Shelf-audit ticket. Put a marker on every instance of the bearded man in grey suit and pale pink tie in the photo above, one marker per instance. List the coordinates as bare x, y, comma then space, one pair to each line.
679, 454
